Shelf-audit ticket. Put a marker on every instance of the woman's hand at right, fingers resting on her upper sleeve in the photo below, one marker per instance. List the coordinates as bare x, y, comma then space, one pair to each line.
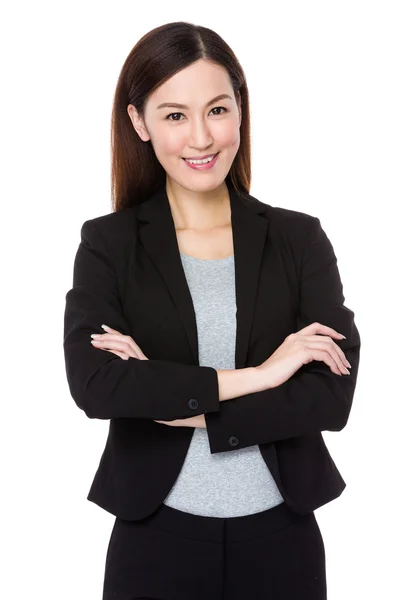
301, 348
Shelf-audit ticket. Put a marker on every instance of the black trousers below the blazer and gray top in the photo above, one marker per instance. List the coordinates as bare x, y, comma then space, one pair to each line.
275, 554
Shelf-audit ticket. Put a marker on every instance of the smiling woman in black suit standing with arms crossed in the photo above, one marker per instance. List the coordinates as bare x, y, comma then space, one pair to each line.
216, 396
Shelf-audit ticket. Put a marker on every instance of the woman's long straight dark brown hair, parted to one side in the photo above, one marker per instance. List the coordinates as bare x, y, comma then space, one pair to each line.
135, 170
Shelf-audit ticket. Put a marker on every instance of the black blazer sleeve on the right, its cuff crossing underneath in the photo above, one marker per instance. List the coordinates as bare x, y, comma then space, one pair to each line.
314, 399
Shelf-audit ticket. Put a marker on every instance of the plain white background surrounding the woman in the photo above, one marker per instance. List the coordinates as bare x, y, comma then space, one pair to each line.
333, 105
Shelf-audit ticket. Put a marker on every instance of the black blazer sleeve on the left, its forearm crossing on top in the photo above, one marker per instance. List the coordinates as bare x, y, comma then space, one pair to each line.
104, 385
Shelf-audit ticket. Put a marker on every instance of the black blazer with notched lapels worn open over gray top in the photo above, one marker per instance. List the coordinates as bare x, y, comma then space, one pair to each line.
128, 275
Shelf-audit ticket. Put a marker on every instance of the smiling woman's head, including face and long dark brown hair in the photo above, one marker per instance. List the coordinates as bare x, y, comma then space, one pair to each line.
200, 78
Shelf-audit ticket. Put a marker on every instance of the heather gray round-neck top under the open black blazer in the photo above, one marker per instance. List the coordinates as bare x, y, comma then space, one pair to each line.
236, 482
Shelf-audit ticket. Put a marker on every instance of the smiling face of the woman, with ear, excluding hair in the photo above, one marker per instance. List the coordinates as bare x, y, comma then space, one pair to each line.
199, 127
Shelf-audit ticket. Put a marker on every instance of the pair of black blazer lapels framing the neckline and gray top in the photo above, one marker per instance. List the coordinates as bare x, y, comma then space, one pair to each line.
158, 237
